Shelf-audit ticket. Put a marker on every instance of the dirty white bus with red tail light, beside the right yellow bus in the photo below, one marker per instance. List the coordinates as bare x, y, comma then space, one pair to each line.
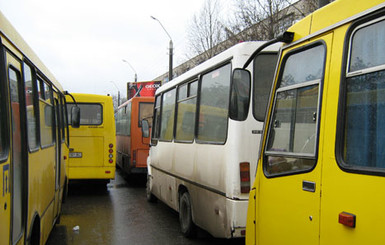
205, 139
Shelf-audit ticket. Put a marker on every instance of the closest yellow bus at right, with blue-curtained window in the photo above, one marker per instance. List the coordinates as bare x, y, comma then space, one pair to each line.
321, 171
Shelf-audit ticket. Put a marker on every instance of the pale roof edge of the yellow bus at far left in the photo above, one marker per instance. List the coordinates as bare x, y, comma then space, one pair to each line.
9, 33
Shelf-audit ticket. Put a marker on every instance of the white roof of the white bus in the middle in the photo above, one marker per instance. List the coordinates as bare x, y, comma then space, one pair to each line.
244, 49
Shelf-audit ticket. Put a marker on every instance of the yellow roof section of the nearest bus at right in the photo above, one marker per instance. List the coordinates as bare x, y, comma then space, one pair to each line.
333, 15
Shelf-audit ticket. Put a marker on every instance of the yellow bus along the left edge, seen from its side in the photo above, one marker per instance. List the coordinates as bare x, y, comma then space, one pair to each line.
33, 143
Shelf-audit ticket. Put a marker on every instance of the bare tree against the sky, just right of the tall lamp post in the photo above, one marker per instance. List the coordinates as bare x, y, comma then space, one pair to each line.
206, 31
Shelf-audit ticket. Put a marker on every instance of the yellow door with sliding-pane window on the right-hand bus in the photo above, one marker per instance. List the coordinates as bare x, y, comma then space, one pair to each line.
288, 197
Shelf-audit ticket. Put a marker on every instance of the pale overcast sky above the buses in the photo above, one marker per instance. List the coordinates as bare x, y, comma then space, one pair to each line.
83, 42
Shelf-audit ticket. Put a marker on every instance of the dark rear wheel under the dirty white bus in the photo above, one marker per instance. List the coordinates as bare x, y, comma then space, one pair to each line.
185, 216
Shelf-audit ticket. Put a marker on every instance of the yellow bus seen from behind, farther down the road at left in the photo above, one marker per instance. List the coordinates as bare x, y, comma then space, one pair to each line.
92, 151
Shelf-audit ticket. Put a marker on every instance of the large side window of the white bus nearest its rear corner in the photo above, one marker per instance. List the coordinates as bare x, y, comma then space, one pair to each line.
214, 103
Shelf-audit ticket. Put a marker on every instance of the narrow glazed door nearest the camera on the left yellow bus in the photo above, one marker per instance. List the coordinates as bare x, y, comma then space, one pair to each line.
18, 169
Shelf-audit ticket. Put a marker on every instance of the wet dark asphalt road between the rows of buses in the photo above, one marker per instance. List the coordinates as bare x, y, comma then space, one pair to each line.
120, 214
